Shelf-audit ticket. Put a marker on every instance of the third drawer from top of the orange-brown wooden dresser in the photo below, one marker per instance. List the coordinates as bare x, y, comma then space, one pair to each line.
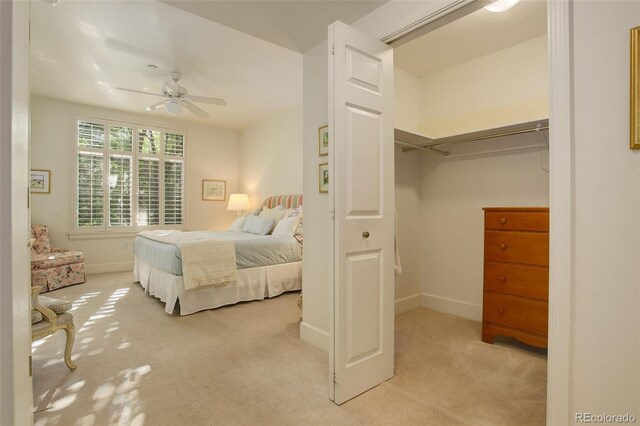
525, 281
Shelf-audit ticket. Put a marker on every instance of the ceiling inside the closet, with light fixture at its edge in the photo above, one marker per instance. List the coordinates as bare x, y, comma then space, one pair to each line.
471, 37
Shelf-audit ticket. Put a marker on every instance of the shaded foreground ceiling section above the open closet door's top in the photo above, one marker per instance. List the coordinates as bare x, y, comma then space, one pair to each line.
298, 25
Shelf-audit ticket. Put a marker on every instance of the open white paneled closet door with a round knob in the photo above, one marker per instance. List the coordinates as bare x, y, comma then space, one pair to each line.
362, 193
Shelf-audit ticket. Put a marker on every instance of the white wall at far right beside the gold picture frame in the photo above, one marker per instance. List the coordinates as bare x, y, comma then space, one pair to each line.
605, 367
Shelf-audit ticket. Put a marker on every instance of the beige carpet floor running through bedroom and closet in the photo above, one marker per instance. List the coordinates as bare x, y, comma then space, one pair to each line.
245, 365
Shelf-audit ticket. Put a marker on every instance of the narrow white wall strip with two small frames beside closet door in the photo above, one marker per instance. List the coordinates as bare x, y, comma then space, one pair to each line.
316, 276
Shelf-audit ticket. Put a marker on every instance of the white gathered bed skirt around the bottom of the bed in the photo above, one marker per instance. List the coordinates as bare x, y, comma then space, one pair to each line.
252, 284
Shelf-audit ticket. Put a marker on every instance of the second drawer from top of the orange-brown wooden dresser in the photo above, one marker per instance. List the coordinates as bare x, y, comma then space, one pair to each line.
519, 247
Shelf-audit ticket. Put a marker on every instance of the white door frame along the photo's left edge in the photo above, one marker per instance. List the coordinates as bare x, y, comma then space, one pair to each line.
16, 394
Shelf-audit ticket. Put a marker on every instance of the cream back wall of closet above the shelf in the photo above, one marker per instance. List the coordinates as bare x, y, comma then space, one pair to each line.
505, 87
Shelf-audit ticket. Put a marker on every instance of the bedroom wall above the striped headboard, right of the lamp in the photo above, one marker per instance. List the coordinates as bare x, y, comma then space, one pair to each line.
271, 156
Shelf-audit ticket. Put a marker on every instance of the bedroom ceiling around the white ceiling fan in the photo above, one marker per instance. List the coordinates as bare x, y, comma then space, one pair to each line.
82, 50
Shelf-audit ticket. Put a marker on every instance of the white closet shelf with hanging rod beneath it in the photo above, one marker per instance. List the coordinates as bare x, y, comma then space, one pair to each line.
425, 143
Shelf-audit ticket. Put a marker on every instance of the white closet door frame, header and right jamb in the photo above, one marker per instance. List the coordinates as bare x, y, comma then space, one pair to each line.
561, 177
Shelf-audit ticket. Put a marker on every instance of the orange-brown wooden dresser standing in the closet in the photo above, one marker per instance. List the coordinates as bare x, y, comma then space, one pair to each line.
516, 274
